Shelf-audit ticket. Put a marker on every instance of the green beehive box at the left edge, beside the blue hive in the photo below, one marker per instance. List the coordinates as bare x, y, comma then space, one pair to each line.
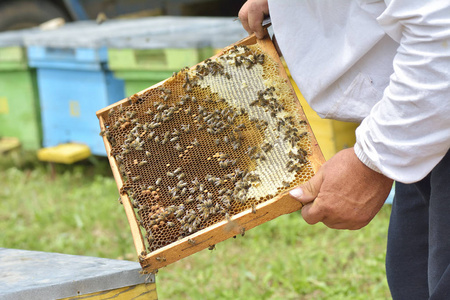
19, 101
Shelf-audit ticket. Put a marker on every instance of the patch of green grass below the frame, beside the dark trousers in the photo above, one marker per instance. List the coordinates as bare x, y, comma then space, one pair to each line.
286, 259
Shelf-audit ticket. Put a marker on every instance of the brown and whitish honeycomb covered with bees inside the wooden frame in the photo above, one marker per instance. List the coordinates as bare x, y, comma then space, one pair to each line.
208, 143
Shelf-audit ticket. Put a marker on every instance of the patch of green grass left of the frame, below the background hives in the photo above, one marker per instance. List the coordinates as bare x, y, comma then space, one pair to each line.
76, 212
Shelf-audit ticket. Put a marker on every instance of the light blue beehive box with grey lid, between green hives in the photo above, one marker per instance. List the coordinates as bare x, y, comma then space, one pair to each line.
74, 82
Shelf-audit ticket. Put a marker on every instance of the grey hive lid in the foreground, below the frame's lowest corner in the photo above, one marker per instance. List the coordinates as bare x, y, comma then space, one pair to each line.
43, 275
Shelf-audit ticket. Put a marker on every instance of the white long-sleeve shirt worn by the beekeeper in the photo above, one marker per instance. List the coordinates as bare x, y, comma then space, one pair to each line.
385, 63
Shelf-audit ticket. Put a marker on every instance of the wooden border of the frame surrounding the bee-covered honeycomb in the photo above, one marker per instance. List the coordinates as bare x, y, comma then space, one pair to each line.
279, 205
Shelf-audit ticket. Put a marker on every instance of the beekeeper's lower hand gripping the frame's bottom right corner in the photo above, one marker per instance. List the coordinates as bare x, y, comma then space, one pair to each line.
344, 193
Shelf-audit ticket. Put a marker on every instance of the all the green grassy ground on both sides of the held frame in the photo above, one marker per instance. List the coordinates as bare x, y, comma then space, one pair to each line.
75, 211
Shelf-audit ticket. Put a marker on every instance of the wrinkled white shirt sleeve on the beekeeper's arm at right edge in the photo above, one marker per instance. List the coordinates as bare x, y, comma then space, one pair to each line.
408, 132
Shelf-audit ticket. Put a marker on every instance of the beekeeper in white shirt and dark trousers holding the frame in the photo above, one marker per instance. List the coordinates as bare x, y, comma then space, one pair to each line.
385, 64
